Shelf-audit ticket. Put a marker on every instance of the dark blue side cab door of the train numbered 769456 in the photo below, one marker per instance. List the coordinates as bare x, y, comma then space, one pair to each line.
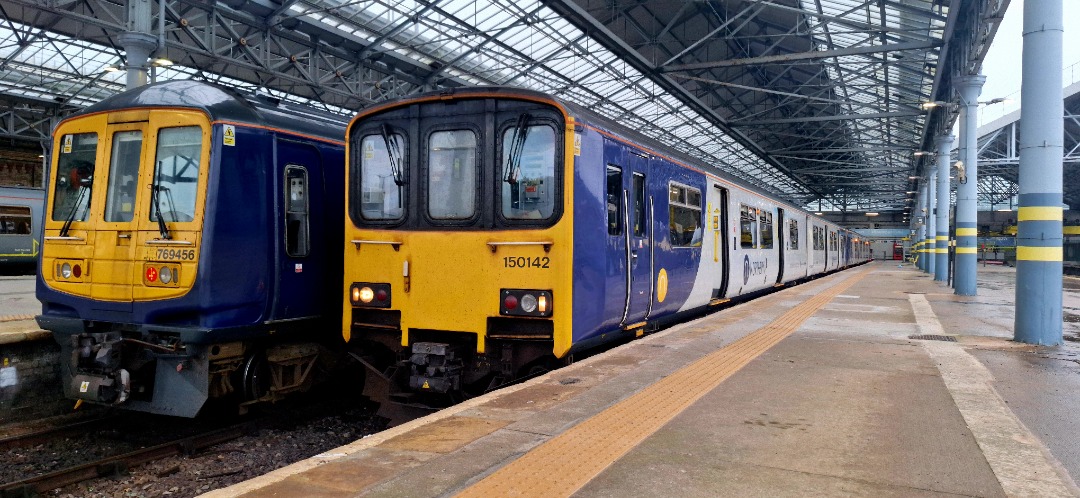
298, 272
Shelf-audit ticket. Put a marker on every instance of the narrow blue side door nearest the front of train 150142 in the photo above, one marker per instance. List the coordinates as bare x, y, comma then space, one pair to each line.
641, 253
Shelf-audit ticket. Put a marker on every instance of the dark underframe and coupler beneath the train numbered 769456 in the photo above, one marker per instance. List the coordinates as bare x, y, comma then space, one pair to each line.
159, 372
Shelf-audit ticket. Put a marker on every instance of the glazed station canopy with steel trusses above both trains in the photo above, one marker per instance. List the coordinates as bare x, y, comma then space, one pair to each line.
818, 102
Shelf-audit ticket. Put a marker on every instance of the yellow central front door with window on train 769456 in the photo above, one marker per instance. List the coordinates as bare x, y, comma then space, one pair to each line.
114, 272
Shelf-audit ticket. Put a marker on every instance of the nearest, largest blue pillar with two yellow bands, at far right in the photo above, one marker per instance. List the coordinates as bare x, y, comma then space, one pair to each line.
1042, 149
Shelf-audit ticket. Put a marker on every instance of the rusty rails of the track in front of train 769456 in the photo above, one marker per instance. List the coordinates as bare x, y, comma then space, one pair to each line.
114, 465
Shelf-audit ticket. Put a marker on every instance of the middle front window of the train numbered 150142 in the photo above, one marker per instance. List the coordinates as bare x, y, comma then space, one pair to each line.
452, 174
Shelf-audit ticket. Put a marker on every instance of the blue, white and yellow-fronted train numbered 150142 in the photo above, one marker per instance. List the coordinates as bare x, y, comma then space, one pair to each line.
494, 233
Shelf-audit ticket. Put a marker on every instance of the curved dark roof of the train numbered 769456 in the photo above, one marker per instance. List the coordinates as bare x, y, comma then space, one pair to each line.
225, 104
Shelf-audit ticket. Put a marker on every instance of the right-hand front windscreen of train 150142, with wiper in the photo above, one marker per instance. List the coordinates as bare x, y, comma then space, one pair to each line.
529, 172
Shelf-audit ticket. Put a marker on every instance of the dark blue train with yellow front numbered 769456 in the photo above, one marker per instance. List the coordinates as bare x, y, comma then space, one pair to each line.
192, 248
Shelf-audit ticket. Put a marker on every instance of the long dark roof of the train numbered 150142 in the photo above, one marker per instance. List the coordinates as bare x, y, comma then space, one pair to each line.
585, 116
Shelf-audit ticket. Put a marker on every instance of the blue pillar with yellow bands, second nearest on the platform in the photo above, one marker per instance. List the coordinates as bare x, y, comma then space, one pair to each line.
967, 192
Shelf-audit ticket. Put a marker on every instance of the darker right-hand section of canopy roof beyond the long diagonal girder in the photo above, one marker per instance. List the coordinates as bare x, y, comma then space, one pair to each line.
808, 84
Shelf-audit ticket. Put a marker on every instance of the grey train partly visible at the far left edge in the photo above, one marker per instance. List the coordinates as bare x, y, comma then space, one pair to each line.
20, 225
